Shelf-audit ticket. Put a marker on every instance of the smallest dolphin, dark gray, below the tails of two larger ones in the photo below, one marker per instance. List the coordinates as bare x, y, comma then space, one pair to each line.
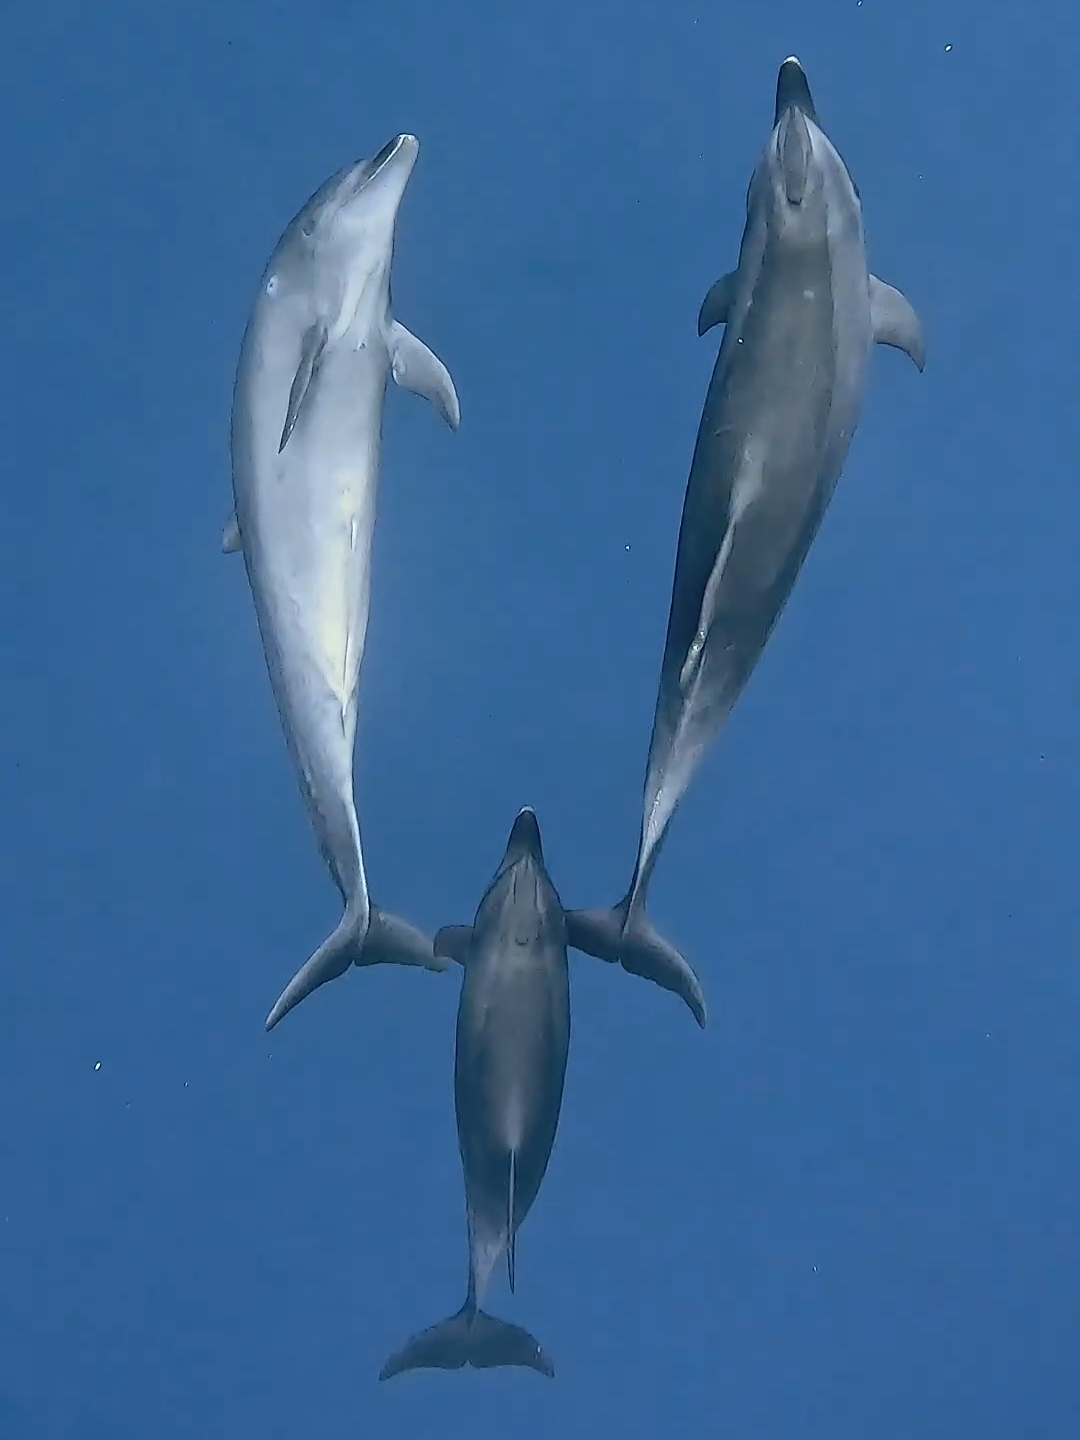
509, 1069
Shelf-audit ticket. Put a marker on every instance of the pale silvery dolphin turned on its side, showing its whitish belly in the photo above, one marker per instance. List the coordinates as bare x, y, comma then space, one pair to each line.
306, 446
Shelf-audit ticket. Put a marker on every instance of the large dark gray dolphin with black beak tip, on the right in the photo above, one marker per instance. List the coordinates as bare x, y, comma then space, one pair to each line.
801, 313
